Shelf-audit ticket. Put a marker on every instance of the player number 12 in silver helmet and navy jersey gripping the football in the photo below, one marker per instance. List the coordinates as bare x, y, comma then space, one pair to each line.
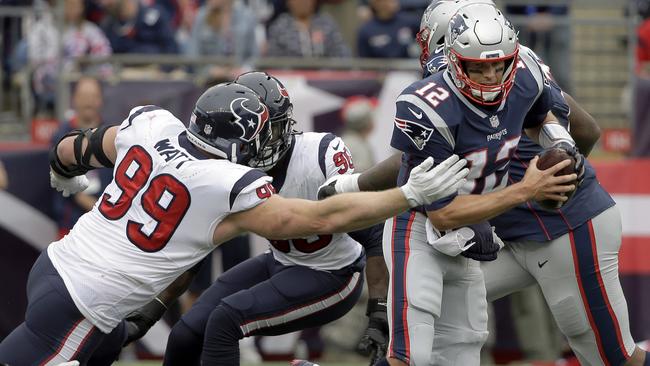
478, 109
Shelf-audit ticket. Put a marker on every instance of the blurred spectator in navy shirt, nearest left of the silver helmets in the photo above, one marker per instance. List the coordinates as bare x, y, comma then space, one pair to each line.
389, 33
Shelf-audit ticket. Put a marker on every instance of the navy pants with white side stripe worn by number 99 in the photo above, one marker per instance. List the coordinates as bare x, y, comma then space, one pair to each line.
54, 331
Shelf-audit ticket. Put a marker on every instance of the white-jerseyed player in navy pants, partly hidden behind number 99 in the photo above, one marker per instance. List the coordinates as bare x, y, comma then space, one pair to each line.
298, 284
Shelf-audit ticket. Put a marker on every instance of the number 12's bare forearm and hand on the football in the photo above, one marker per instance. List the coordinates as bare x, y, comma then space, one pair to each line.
536, 185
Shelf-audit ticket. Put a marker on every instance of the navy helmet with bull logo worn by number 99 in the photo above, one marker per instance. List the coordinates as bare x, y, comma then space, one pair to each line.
230, 121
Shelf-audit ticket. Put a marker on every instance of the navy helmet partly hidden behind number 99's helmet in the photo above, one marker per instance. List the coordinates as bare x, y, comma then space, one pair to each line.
276, 98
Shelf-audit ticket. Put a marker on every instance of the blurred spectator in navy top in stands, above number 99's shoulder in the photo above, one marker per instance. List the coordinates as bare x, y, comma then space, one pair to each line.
133, 27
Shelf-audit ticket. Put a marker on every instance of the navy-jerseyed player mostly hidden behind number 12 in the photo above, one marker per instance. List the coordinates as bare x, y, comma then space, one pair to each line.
597, 334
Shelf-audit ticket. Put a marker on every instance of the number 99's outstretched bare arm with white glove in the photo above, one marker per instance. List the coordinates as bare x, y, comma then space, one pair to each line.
281, 218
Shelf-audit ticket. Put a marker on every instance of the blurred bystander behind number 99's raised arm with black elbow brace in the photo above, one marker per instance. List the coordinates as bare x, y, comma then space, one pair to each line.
87, 102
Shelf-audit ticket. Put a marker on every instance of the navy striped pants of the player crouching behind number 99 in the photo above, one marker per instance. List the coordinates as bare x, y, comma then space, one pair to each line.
260, 297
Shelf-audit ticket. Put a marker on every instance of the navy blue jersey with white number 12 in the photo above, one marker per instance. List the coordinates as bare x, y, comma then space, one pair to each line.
434, 118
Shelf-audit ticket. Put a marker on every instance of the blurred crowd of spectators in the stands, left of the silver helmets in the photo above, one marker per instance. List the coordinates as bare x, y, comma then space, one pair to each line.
242, 29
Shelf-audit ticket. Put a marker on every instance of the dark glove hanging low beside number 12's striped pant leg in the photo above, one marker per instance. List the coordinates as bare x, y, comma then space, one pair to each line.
374, 341
